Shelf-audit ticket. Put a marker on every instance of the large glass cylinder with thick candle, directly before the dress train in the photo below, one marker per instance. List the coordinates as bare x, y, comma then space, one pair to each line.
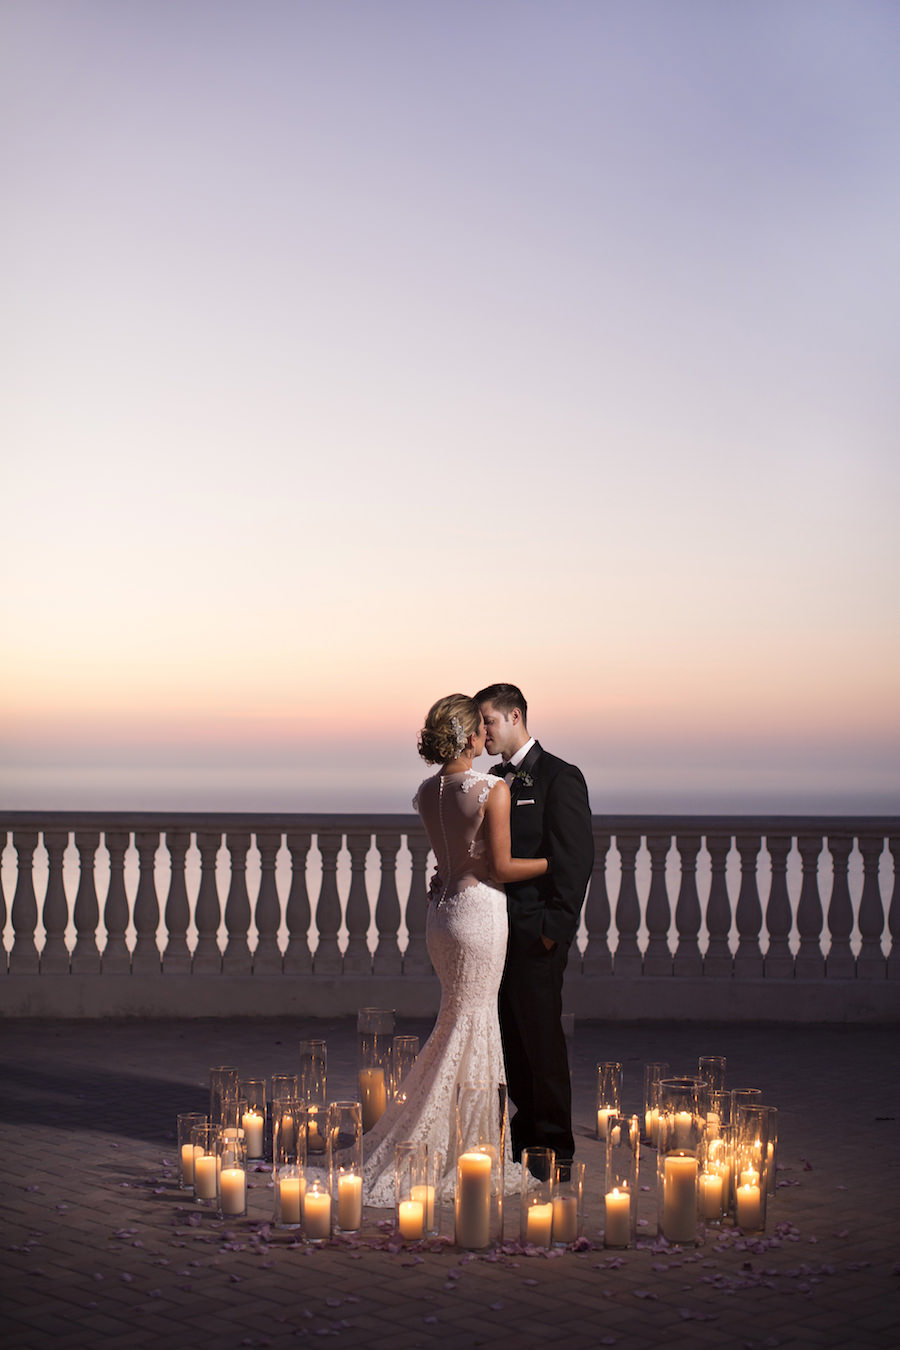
481, 1141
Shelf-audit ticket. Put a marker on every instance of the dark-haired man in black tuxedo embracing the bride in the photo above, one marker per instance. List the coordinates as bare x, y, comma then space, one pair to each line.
550, 817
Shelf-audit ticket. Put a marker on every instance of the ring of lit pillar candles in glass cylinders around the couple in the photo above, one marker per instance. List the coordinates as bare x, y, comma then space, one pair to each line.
714, 1152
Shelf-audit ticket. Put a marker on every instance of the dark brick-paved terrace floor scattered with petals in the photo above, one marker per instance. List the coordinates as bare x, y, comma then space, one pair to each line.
102, 1248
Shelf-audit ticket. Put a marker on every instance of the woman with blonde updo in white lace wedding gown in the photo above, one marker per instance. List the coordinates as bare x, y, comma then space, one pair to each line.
468, 817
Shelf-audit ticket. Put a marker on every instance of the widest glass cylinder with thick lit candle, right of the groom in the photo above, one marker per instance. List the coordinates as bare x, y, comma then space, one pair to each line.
683, 1105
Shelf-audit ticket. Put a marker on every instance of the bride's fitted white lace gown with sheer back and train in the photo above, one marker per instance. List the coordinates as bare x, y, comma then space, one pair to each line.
466, 934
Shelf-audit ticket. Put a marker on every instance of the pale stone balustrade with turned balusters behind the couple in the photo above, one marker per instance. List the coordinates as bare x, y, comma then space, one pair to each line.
701, 919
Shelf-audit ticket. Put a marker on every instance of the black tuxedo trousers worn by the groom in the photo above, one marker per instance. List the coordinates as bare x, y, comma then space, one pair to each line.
535, 1051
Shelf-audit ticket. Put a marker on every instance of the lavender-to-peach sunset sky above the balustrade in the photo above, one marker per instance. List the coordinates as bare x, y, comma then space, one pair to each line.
361, 352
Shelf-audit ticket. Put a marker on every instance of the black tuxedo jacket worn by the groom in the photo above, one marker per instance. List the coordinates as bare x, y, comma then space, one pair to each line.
550, 817
